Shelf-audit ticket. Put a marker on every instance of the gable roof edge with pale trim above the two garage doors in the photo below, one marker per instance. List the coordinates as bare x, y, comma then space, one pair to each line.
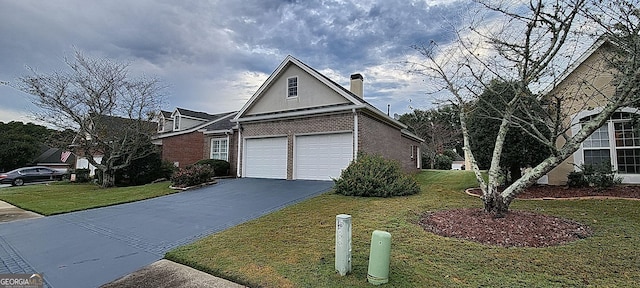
355, 102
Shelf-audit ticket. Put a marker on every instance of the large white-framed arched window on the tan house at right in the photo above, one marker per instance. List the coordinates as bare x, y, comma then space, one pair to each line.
617, 142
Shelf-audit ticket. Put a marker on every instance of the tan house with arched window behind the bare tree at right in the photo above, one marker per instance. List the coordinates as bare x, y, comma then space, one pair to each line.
617, 142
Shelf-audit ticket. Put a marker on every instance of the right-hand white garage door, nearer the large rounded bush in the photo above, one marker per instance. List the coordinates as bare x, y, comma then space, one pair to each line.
322, 157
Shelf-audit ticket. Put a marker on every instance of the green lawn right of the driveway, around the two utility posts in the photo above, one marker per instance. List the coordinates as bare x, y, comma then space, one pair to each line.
294, 247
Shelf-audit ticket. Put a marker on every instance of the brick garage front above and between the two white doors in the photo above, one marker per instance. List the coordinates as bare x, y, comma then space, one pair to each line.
291, 127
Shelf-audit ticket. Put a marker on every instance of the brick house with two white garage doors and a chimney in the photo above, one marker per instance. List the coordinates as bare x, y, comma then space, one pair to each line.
302, 125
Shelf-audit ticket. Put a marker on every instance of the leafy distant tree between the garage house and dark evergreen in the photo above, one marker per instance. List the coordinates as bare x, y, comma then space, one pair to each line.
439, 127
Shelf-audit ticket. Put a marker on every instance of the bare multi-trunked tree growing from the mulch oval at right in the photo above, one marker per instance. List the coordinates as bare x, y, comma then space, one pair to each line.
528, 46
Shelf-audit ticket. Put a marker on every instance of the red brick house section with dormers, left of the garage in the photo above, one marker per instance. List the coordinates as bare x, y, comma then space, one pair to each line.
187, 136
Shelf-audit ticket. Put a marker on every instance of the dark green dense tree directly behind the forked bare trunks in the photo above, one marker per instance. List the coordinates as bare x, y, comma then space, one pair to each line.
520, 149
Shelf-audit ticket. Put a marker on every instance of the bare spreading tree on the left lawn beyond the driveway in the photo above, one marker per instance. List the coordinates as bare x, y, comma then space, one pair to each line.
110, 110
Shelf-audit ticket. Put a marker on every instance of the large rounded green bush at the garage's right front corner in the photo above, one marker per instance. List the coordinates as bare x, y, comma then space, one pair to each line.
375, 176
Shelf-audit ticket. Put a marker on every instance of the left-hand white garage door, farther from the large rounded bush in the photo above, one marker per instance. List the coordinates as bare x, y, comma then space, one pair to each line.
266, 158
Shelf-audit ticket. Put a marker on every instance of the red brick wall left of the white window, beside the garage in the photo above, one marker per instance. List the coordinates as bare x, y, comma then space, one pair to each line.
185, 149
